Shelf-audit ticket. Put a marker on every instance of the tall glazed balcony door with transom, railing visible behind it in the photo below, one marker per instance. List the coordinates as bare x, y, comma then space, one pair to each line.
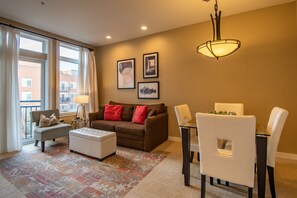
31, 74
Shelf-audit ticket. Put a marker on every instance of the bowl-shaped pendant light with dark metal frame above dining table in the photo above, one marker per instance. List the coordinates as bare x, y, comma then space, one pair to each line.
218, 47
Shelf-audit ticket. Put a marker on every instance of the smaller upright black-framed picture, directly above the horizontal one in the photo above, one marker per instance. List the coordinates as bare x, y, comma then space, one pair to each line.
150, 65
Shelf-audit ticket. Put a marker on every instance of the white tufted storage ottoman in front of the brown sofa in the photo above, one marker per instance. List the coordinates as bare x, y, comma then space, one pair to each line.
93, 142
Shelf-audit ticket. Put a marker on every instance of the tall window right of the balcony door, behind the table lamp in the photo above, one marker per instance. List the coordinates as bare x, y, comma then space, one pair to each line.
68, 76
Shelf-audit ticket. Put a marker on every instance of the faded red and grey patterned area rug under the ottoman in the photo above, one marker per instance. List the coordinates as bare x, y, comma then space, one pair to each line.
60, 173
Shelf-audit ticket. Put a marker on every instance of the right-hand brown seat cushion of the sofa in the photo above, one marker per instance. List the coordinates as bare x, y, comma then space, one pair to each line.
130, 128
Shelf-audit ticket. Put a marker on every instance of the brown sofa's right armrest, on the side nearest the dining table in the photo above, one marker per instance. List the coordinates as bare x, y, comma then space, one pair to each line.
156, 131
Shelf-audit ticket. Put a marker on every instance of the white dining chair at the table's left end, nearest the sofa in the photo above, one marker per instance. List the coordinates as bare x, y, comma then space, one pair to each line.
183, 115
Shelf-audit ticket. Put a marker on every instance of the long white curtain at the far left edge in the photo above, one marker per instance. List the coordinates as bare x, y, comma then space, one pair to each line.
10, 112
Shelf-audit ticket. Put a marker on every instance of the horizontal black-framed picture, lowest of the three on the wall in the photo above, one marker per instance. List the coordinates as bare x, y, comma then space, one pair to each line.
148, 90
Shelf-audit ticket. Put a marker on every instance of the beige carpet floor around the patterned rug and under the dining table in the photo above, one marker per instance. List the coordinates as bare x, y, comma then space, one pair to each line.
166, 179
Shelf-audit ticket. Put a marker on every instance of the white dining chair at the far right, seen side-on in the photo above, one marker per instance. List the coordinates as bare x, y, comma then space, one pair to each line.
275, 126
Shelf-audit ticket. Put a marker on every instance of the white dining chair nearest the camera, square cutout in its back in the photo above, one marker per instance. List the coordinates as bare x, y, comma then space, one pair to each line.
235, 165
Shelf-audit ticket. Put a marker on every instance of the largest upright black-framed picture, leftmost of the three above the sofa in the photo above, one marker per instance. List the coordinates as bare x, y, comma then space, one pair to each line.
126, 74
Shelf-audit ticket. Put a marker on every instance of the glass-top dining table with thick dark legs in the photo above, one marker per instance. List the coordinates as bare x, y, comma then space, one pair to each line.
261, 151
